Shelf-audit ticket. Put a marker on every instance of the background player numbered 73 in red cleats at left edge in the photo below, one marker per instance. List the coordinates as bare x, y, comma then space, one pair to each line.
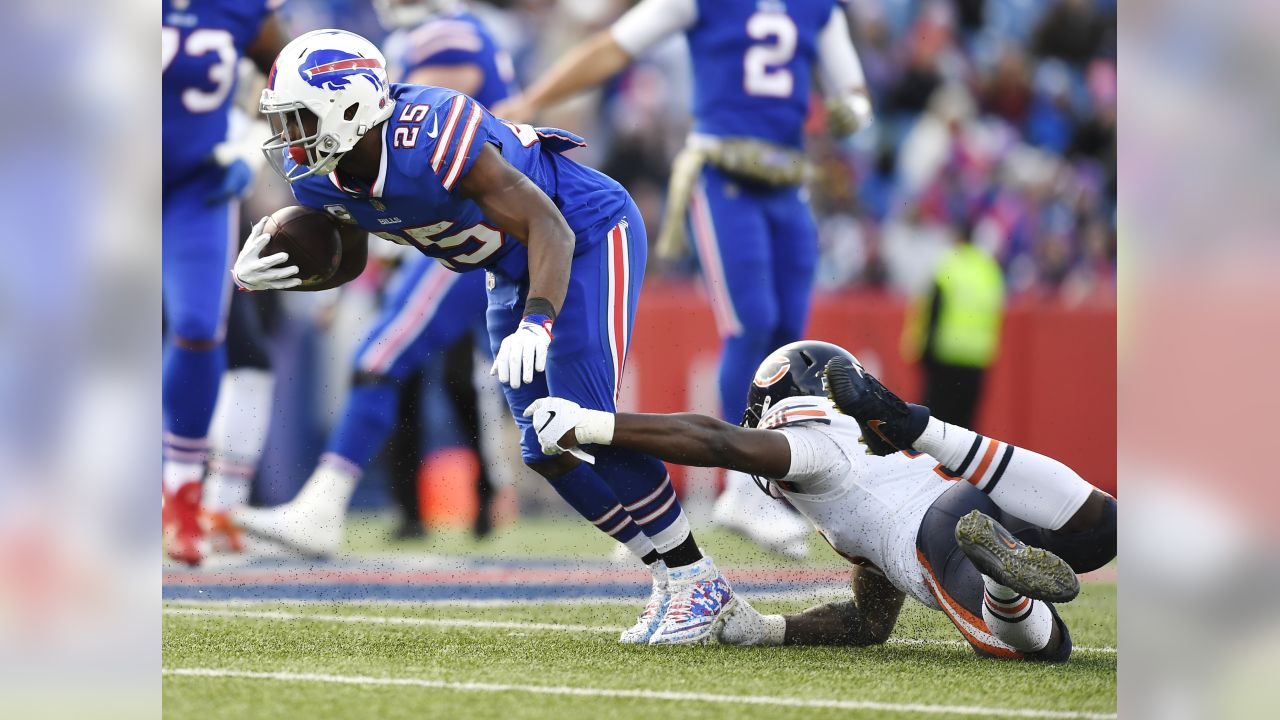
202, 45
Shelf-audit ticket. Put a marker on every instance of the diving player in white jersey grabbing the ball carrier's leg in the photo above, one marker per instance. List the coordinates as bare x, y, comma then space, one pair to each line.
989, 534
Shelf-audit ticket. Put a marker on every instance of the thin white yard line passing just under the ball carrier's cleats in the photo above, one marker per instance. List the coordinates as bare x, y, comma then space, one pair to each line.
478, 625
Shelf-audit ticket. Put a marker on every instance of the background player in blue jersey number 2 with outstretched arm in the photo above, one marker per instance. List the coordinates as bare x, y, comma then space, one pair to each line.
739, 181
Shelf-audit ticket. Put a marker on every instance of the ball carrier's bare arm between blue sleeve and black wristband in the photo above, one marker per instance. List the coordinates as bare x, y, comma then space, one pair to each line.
519, 208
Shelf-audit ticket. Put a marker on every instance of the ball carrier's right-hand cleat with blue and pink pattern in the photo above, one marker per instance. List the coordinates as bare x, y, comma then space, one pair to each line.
701, 603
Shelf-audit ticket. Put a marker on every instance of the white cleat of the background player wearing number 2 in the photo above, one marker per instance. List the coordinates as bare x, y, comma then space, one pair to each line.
761, 520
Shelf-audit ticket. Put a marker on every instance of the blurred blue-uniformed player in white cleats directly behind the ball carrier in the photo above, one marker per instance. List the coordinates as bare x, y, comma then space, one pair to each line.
431, 308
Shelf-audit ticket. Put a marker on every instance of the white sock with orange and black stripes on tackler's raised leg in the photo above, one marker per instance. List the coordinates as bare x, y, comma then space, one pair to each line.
1023, 484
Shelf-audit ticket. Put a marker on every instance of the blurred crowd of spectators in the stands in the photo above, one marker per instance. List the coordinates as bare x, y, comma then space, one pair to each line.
994, 117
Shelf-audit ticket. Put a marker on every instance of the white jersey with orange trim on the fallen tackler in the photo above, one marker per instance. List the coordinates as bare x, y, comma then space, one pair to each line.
868, 508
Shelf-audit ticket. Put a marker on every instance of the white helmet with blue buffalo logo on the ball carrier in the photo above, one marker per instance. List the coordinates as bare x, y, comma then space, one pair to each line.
339, 78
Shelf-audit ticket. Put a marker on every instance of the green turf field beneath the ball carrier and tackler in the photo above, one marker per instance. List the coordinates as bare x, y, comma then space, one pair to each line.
561, 660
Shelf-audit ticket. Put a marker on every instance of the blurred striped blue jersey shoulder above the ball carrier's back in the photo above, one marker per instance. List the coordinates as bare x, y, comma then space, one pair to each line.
454, 39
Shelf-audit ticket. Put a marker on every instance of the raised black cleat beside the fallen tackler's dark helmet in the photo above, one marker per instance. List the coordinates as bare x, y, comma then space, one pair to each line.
889, 425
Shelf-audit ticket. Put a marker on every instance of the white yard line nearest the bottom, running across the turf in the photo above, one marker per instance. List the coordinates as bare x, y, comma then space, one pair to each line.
921, 709
